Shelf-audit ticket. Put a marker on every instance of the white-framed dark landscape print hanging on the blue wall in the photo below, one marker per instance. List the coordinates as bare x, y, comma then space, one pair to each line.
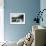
17, 18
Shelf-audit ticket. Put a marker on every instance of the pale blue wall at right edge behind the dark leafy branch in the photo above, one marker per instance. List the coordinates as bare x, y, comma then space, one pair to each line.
43, 6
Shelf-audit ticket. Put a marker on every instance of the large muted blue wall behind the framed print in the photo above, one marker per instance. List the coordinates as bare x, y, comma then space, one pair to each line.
29, 7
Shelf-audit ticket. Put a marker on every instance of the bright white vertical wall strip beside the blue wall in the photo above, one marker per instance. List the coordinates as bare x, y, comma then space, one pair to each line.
1, 21
